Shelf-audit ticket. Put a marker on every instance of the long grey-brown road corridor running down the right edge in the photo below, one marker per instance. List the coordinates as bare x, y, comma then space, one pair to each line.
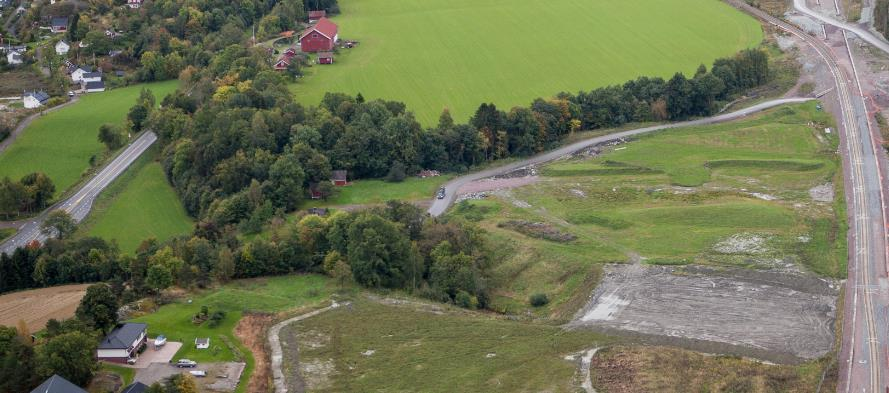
863, 356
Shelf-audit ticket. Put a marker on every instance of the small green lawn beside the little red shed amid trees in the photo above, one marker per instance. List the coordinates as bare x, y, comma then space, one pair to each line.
362, 192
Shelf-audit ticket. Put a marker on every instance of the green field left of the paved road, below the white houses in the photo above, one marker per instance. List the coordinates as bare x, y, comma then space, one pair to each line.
61, 143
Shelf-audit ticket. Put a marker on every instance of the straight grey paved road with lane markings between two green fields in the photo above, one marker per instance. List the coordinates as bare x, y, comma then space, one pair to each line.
81, 202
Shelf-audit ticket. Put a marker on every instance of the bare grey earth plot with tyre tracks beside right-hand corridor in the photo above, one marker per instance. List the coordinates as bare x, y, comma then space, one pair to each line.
781, 317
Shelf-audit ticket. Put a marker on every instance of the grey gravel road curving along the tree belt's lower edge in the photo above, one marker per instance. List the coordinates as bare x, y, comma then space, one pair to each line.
439, 206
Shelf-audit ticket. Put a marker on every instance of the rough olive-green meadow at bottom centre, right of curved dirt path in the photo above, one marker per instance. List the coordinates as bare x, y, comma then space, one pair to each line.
421, 351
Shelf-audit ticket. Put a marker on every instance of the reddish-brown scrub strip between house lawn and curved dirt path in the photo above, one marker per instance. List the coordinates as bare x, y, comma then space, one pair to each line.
251, 330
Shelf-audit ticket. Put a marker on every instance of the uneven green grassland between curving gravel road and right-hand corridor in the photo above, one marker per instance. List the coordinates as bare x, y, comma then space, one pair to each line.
671, 198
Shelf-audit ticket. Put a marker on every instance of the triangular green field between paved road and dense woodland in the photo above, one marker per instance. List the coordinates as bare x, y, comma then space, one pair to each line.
138, 205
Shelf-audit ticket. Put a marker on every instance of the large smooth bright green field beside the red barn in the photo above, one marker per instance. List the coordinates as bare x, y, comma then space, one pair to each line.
456, 54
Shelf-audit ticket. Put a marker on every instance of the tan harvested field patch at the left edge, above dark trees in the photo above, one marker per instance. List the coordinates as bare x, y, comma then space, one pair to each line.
37, 306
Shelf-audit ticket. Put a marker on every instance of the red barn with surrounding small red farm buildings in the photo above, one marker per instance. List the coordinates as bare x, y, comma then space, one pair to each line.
320, 38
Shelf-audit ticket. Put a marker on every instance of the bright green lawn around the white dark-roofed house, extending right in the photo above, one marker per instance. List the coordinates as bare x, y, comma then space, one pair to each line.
266, 295
